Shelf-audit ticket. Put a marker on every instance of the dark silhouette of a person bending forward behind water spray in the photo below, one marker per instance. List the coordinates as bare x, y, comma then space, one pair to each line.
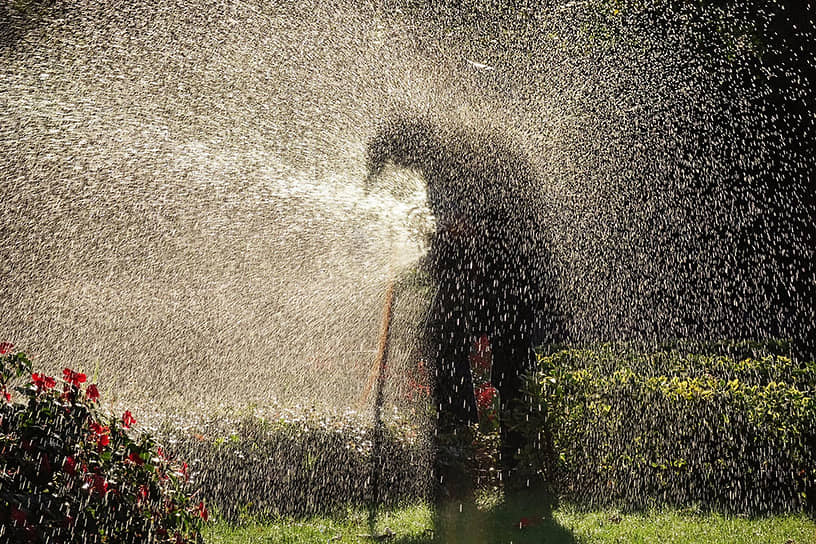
488, 258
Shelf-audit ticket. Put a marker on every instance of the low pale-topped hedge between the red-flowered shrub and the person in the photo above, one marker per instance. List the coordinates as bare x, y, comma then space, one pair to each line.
302, 461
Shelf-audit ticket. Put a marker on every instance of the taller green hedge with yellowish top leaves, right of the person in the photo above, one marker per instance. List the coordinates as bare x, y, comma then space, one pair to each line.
614, 426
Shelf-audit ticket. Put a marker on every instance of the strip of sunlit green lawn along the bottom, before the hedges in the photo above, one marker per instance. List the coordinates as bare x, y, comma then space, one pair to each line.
467, 524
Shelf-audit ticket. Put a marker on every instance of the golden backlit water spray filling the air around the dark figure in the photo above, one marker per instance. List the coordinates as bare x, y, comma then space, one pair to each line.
182, 202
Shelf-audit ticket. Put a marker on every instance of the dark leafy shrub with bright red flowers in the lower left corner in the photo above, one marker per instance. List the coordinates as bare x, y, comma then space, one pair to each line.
71, 475
